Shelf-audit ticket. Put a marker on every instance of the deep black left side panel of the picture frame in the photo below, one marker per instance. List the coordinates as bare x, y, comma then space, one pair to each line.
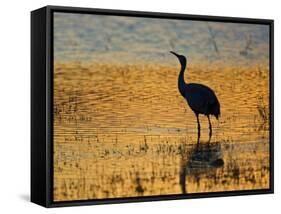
38, 152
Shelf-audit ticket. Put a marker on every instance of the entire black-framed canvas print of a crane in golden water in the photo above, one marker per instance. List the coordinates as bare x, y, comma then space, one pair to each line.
133, 106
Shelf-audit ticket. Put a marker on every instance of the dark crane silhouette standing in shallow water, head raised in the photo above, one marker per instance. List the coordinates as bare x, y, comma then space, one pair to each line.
200, 98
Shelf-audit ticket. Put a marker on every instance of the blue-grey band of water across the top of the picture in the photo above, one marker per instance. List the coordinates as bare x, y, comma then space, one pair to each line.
81, 37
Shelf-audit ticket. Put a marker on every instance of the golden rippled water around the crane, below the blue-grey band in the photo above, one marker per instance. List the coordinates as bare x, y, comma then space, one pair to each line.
123, 130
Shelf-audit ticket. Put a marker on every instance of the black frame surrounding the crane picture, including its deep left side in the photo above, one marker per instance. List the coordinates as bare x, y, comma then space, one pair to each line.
42, 104
